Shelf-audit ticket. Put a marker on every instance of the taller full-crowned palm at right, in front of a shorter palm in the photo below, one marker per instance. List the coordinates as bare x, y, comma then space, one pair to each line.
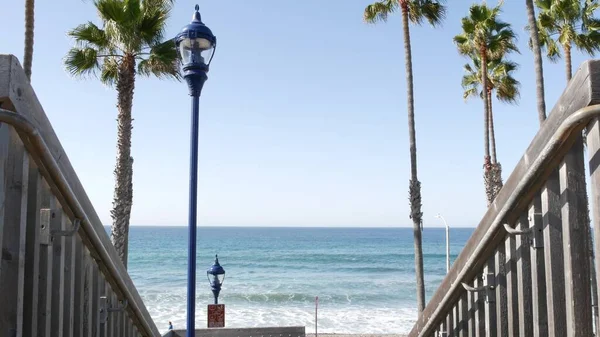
487, 37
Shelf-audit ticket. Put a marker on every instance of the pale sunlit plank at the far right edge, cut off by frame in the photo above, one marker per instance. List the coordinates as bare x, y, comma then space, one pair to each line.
593, 147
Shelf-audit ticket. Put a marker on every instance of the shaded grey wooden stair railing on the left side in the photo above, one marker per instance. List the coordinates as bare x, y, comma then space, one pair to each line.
59, 274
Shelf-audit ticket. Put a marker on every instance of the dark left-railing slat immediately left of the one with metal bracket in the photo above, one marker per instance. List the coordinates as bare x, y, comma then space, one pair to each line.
32, 254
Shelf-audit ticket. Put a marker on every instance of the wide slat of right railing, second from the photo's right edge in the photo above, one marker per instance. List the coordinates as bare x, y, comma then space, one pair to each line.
575, 243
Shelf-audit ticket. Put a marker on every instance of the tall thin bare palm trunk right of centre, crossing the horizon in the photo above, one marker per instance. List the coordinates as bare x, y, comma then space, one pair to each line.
414, 184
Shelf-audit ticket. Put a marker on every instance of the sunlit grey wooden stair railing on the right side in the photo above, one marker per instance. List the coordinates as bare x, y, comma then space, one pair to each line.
525, 271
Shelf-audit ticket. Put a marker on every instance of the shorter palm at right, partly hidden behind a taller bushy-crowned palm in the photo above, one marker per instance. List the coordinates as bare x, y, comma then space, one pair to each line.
500, 80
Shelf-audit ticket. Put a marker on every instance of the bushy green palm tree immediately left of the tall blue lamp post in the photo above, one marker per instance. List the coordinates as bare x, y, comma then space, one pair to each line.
130, 42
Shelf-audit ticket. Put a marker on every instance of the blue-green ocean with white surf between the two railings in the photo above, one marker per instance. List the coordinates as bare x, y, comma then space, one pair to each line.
364, 277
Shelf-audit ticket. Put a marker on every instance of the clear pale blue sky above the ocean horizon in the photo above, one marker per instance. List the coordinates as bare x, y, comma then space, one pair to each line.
303, 118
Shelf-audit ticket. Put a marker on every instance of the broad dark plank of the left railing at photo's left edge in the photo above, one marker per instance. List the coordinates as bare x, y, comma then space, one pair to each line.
15, 204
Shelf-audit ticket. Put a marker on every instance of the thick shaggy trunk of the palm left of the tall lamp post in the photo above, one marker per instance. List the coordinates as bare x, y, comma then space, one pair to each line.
123, 197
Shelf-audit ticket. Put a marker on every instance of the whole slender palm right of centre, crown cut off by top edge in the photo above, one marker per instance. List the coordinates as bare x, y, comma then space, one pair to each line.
415, 11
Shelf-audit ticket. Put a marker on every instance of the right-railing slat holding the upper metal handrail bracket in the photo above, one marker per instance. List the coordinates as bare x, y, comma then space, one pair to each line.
538, 270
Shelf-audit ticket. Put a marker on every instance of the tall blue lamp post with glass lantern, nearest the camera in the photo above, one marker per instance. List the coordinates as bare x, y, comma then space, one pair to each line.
196, 45
